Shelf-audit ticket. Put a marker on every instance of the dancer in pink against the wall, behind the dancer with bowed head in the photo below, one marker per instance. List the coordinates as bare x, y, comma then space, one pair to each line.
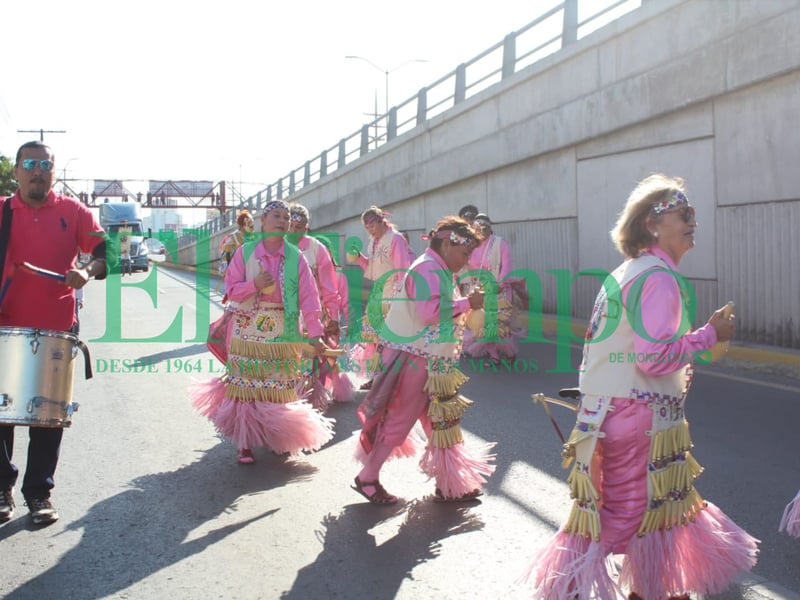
496, 339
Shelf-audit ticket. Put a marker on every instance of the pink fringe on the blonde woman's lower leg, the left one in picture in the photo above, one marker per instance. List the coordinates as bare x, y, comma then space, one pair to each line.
570, 566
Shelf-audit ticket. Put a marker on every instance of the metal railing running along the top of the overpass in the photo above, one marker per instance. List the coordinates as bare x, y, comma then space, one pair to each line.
563, 23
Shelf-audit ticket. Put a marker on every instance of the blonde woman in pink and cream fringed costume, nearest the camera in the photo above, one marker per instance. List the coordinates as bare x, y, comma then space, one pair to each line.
633, 478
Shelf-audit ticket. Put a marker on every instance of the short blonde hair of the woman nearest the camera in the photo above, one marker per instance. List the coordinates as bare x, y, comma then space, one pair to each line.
630, 234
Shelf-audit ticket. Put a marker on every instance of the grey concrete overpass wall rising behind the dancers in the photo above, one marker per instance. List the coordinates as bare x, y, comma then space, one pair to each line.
706, 90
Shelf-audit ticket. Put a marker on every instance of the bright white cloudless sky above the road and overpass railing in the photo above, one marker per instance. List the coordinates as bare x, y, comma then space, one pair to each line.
236, 90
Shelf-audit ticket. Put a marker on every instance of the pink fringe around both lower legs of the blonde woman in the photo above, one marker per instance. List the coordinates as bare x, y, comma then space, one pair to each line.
702, 557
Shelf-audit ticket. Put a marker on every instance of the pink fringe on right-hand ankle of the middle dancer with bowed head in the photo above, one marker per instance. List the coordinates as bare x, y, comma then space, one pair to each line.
458, 470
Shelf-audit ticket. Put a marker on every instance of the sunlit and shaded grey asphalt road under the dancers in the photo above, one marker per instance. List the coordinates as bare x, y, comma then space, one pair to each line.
153, 504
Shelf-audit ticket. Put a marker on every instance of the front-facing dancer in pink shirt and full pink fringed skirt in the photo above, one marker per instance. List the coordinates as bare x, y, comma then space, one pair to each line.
269, 285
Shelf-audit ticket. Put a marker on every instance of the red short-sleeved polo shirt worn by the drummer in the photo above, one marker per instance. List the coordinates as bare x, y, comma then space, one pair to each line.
48, 237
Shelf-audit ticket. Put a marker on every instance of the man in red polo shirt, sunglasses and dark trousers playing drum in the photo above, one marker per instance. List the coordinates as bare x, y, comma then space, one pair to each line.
47, 230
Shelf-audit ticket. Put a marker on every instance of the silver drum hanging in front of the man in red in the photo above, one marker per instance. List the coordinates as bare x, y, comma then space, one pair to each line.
36, 376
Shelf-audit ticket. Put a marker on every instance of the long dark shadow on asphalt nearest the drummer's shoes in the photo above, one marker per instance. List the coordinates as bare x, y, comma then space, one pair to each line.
143, 530
